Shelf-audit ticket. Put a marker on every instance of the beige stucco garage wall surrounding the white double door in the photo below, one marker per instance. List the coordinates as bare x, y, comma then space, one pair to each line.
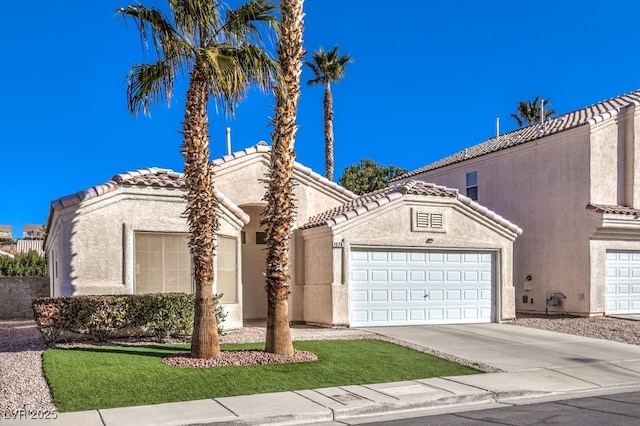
389, 226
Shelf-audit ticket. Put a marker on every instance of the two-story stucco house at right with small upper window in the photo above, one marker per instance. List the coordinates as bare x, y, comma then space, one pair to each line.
573, 184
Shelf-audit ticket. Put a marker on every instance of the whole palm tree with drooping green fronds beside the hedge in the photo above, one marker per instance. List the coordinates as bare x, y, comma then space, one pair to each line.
223, 58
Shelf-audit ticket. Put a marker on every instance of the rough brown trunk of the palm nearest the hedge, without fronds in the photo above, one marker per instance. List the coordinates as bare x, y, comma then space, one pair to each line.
202, 218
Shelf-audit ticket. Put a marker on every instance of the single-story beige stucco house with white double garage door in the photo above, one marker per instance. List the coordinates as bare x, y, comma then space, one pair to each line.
129, 235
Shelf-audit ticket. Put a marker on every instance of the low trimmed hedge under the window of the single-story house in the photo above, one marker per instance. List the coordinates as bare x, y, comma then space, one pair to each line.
161, 315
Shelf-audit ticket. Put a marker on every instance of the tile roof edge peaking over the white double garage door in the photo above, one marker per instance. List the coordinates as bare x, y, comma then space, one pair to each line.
375, 199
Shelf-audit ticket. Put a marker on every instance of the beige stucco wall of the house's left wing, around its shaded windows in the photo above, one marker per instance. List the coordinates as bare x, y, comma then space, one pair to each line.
91, 244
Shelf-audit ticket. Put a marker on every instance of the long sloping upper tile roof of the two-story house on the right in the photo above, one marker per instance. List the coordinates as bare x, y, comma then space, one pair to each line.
588, 115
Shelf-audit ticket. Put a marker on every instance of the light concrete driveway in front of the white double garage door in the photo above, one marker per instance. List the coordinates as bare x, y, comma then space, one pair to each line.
514, 348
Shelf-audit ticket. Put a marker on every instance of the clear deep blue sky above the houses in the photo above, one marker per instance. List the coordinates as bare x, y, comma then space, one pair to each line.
428, 79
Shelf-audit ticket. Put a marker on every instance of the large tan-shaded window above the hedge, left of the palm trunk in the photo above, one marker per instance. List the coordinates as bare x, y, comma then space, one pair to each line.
163, 263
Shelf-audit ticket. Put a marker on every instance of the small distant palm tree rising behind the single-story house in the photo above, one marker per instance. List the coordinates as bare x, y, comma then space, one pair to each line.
328, 67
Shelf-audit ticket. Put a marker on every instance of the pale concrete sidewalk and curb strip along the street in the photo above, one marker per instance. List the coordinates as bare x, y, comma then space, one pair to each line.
326, 405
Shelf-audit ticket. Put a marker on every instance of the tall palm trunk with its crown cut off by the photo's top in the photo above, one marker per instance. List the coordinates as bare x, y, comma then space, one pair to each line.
278, 215
